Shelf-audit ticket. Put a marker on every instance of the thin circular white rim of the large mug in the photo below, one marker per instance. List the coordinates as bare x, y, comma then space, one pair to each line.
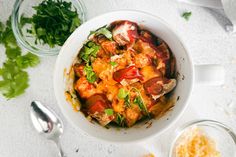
185, 104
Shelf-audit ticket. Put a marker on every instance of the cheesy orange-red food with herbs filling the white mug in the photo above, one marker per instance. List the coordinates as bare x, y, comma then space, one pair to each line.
124, 74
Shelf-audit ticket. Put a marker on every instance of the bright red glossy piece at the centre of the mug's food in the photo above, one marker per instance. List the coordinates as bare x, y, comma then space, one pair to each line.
127, 73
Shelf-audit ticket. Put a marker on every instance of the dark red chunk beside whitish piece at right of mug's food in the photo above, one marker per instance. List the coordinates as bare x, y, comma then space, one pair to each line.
154, 86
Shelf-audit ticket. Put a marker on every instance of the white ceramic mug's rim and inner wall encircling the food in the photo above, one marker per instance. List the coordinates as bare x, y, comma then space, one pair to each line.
140, 131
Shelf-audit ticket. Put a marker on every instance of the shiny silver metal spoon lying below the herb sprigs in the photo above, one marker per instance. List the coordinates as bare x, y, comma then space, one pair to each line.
47, 123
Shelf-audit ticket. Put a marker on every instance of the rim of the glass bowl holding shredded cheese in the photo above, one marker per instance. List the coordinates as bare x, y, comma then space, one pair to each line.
201, 122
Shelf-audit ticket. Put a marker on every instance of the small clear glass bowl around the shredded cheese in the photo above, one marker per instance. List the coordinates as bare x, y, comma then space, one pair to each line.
222, 135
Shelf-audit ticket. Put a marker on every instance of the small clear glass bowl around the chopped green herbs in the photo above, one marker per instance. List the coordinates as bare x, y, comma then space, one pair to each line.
26, 40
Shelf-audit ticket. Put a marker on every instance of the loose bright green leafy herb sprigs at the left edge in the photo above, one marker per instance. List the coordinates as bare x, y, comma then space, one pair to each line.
14, 79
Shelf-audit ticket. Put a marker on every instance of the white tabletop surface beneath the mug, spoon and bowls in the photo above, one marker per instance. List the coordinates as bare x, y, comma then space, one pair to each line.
207, 42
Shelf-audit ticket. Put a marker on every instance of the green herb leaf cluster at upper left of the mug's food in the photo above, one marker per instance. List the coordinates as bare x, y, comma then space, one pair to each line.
89, 50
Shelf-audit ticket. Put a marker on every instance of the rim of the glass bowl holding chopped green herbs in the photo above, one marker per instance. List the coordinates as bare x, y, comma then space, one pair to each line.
37, 51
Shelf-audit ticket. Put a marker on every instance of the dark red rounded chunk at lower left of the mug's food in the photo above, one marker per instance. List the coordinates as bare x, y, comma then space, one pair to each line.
97, 103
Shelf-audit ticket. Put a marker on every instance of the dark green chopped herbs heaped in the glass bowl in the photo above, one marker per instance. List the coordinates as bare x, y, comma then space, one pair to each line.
53, 22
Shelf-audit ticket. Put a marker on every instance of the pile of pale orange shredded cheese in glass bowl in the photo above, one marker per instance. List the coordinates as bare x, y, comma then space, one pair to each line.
194, 143
